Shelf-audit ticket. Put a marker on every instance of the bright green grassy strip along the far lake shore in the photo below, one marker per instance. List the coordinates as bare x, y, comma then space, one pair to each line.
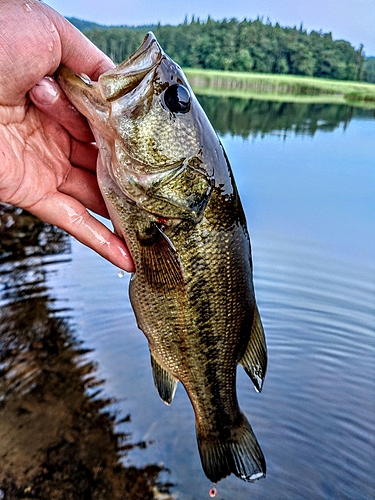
281, 87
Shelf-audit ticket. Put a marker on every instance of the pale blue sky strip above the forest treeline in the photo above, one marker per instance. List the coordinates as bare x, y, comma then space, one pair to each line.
351, 20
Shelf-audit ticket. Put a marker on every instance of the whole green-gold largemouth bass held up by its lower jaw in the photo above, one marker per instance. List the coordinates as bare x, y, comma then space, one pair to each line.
171, 194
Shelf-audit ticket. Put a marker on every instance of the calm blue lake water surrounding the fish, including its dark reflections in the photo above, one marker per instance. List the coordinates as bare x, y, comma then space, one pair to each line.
73, 362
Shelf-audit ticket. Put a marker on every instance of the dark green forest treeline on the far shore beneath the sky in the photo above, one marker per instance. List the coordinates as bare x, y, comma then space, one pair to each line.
251, 46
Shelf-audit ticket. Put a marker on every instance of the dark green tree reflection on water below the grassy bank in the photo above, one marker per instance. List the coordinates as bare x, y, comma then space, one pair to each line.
251, 117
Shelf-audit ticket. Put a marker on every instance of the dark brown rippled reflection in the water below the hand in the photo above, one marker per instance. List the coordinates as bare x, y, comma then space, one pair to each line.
58, 436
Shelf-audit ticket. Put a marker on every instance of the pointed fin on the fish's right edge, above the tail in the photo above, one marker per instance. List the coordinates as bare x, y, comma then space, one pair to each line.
254, 361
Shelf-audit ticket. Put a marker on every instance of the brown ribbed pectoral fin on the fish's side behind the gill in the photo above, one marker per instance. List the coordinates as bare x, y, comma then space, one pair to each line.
160, 262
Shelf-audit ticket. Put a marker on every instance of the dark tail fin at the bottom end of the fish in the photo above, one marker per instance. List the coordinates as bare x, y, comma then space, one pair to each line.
239, 454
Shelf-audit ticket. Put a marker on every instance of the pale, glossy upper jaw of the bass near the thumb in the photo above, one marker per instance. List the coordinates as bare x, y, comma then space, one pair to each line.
124, 78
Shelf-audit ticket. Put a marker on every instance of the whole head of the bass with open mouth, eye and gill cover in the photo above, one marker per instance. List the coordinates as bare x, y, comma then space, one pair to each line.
157, 146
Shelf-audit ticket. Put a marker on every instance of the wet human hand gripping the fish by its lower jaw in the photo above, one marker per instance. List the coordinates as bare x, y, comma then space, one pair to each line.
47, 158
